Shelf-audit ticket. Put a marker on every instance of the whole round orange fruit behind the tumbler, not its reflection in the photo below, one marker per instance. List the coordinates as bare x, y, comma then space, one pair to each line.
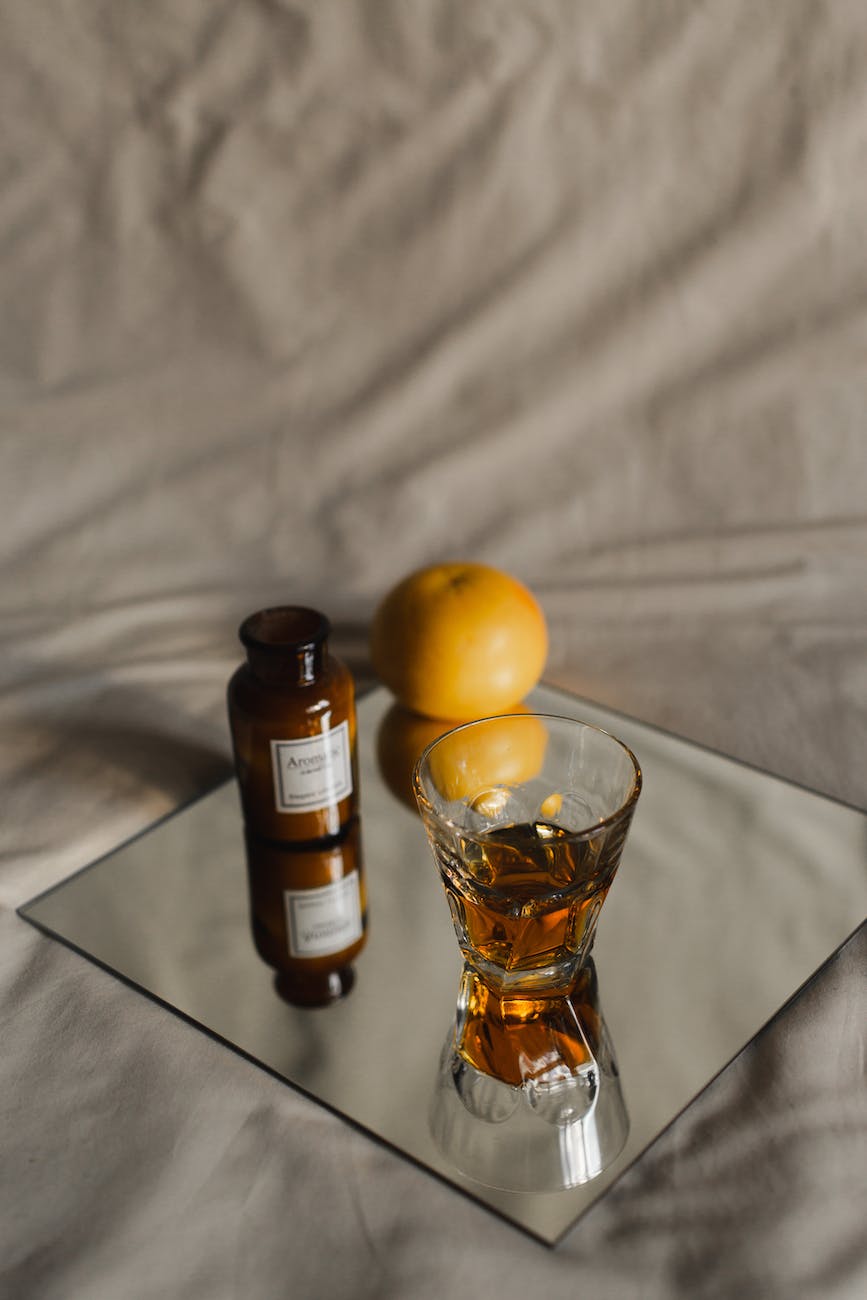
459, 642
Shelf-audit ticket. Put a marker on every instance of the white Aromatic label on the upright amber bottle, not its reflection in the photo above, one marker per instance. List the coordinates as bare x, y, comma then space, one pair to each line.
313, 773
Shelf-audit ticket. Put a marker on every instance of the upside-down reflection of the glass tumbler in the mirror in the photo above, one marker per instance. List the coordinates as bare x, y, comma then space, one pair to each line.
528, 1094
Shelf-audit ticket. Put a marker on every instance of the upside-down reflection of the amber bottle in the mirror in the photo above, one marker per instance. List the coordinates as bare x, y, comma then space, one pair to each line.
309, 913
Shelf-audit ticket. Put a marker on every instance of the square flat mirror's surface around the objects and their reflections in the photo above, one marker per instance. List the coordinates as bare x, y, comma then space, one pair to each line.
732, 891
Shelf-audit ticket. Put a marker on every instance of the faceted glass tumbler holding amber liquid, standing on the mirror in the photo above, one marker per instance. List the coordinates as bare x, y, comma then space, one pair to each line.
527, 816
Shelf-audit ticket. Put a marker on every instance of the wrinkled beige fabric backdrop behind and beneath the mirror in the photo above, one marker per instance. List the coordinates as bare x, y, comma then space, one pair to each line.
294, 298
